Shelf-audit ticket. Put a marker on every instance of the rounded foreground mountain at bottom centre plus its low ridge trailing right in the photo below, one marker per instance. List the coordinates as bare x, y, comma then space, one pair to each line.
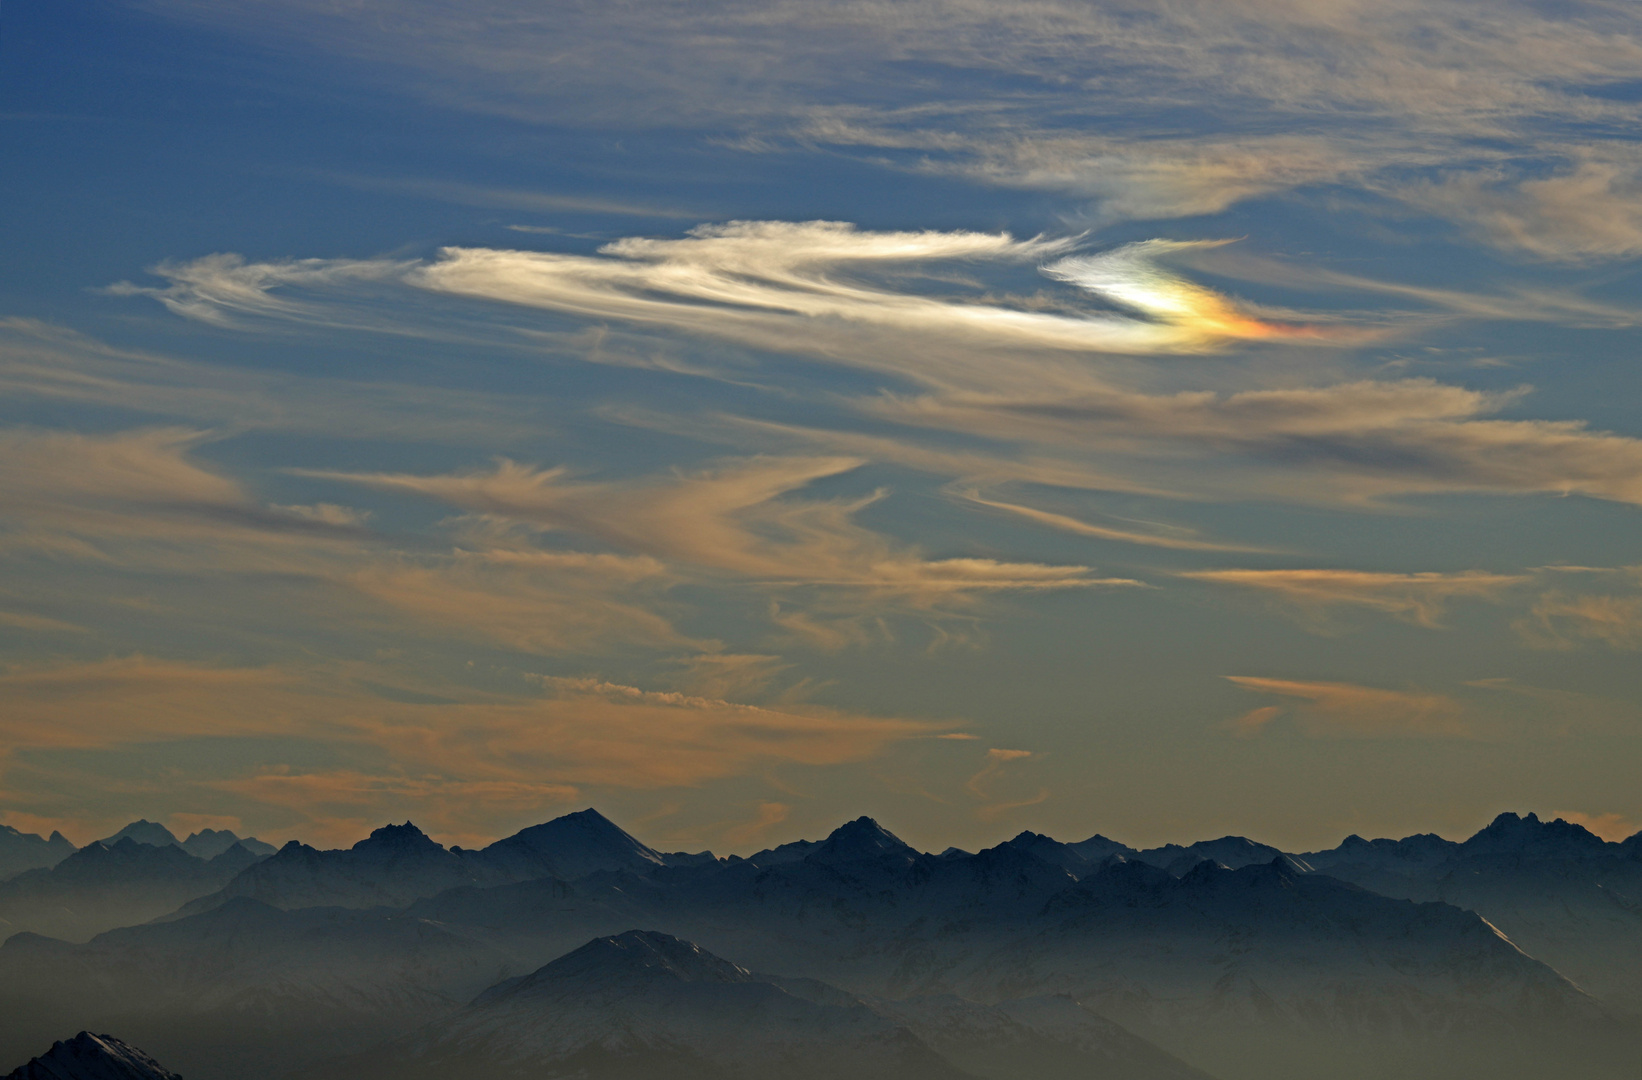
651, 1005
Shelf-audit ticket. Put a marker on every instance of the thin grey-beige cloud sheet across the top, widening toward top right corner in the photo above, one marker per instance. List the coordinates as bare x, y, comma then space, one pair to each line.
1150, 111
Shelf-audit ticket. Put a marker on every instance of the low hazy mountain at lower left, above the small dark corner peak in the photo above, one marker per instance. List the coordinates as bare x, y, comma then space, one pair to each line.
245, 992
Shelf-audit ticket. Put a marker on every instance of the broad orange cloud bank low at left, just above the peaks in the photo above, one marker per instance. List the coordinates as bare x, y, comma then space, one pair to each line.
459, 762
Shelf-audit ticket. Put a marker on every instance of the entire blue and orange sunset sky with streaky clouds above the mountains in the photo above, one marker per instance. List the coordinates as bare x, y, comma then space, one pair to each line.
1160, 419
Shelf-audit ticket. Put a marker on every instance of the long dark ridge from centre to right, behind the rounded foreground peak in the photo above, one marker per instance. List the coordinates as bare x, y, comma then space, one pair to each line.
1262, 959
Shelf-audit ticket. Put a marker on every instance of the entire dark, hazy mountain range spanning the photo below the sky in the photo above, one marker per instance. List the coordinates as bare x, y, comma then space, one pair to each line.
1511, 954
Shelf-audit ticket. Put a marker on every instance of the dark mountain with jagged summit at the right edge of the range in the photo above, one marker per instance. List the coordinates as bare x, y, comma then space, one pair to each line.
1557, 890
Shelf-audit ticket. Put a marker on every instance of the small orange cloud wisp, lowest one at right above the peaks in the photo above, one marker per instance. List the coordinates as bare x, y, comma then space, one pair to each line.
1349, 712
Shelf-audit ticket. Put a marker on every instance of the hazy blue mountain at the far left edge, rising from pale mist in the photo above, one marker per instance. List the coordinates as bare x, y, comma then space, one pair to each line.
103, 887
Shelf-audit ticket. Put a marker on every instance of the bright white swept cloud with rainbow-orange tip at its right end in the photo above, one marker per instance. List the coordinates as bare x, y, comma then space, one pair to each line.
758, 281
